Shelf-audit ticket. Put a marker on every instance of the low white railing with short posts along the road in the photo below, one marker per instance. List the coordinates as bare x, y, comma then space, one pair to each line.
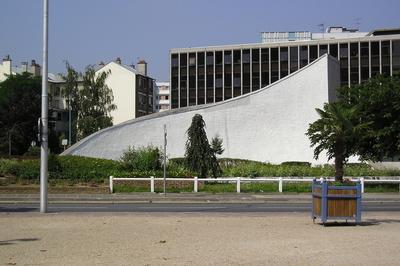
239, 180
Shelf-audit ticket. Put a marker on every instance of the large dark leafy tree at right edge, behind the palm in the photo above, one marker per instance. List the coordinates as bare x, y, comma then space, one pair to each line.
378, 105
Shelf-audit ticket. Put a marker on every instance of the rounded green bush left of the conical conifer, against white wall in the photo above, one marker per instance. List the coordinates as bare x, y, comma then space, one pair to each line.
141, 159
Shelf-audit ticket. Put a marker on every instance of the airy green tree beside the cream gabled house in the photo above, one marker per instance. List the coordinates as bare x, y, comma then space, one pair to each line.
94, 103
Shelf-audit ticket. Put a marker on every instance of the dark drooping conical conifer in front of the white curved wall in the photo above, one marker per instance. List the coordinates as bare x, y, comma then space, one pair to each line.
199, 155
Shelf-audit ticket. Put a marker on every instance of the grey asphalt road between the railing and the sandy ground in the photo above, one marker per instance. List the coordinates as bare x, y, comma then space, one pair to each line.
182, 207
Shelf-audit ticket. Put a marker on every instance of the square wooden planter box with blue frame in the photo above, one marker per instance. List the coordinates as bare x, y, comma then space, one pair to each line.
336, 202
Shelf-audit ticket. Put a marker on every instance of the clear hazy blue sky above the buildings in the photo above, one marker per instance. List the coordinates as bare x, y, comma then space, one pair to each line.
85, 32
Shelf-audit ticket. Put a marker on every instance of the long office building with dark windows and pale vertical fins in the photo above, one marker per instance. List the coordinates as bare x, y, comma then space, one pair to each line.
217, 73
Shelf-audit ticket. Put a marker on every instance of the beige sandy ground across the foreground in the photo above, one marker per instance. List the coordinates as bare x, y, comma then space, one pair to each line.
195, 239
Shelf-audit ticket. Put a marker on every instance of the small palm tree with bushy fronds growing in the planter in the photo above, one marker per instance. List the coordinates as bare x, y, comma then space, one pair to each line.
336, 132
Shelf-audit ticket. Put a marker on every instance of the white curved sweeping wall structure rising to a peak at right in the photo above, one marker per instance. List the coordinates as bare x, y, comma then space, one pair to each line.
266, 125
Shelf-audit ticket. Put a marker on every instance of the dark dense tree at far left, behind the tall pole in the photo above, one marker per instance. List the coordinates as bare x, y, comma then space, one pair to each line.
20, 107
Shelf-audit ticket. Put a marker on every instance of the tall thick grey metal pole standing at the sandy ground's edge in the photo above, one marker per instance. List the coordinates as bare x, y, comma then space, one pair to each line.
44, 115
